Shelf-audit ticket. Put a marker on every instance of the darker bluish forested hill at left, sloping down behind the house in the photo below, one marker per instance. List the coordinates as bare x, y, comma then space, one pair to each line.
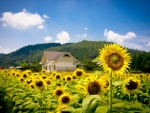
24, 54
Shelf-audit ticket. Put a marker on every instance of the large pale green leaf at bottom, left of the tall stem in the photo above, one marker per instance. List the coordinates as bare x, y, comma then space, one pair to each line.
90, 103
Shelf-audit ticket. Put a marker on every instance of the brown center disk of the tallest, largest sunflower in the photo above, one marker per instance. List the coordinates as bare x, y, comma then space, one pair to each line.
115, 61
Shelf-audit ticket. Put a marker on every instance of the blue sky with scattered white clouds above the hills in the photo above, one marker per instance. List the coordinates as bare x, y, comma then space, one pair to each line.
28, 22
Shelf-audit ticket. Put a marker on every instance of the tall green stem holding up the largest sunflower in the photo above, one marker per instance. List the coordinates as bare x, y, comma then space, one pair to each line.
110, 99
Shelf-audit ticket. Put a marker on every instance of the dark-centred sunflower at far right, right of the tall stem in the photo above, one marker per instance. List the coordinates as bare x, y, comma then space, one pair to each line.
132, 86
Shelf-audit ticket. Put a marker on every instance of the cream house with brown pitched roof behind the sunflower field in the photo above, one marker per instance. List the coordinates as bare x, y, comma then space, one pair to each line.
58, 61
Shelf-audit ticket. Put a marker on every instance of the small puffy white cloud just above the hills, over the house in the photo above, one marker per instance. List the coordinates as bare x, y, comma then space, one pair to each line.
63, 37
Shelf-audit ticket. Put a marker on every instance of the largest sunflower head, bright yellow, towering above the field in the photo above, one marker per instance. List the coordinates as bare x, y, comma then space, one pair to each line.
114, 58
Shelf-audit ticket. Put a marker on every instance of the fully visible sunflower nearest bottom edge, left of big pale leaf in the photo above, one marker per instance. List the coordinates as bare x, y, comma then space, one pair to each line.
65, 98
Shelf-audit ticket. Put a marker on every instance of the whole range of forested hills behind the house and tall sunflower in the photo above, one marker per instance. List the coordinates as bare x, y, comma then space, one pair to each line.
80, 50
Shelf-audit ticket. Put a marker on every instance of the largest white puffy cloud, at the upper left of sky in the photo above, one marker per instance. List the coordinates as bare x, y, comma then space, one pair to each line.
22, 19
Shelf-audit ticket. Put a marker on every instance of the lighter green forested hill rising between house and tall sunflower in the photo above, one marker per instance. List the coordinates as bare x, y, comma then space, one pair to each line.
86, 49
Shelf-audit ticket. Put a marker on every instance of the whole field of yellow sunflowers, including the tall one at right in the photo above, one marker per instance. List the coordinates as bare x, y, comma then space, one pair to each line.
113, 90
